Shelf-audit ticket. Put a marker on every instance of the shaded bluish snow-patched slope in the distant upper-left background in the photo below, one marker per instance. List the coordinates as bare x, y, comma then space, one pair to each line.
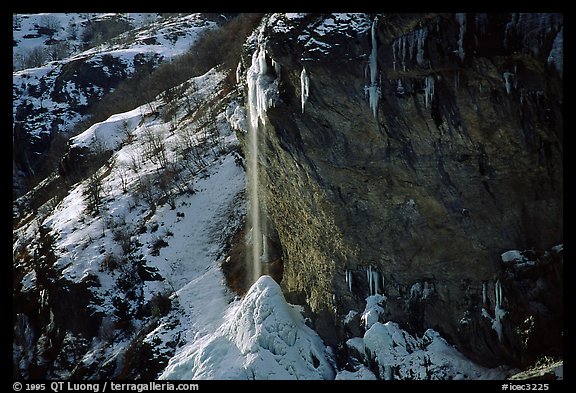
54, 93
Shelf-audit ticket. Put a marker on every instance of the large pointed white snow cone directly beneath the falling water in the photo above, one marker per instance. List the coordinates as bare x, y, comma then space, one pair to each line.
262, 337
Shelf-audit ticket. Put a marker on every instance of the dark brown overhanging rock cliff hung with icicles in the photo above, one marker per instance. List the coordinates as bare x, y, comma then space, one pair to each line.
460, 161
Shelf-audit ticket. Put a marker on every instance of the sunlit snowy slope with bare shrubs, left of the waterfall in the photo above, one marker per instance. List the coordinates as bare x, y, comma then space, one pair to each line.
148, 231
